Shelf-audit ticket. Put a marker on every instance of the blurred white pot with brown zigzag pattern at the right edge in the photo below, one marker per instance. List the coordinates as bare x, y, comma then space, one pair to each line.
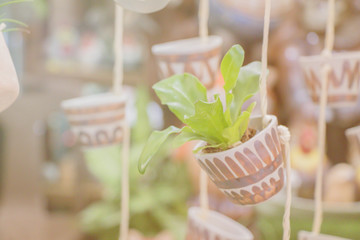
344, 77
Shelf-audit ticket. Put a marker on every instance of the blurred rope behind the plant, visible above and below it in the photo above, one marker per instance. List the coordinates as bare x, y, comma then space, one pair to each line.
203, 33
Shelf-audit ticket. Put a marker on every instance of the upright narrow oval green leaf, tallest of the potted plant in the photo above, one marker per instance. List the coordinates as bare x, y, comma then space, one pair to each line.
230, 66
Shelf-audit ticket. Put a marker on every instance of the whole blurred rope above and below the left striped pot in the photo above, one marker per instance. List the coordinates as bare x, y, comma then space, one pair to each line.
118, 89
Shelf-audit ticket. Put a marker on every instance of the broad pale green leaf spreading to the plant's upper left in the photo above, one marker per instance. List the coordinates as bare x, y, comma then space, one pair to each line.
180, 93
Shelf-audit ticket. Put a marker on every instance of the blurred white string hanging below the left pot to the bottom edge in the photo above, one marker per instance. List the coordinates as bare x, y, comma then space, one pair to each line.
125, 194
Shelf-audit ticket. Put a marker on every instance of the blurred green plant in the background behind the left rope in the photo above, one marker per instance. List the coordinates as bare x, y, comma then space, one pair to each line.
157, 200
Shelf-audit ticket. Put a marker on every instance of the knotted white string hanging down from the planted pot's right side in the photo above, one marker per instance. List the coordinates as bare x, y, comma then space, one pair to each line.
284, 136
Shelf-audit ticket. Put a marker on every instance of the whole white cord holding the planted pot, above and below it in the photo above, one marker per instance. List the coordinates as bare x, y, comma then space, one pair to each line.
284, 133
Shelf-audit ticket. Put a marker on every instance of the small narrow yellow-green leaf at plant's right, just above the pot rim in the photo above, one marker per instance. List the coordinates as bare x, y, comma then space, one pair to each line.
236, 131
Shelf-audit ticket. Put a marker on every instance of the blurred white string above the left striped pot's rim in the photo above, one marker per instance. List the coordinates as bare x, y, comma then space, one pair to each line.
118, 49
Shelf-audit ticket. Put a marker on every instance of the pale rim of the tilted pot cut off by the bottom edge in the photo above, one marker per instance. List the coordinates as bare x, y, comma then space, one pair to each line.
236, 230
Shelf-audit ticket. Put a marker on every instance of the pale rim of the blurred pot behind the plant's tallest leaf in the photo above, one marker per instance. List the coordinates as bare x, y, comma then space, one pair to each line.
187, 46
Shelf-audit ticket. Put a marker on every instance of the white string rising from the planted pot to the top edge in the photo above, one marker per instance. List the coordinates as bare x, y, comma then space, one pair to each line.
263, 76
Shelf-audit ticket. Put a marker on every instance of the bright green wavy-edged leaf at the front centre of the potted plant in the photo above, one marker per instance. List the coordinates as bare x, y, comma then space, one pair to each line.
208, 121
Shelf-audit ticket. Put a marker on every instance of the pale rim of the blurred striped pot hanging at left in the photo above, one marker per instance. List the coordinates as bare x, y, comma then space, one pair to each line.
94, 100
